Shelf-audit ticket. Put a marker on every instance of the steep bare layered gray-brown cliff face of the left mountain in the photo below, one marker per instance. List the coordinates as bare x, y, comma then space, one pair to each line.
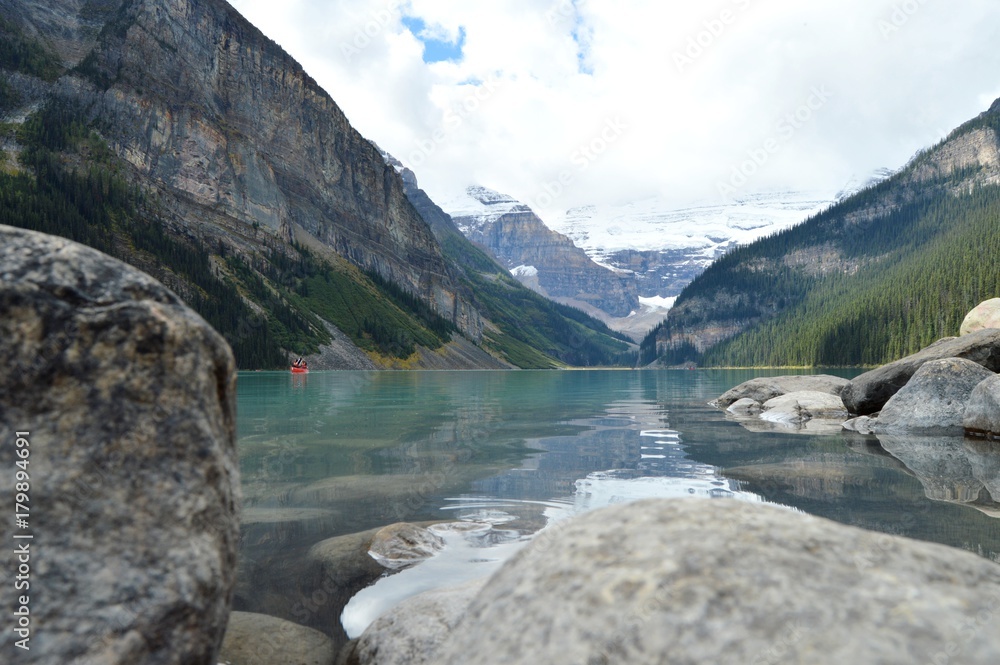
233, 130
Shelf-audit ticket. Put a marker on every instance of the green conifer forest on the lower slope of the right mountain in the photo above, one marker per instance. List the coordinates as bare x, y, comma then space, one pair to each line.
896, 308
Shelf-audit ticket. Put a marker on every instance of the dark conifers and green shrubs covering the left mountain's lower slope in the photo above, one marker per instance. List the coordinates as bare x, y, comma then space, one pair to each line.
73, 186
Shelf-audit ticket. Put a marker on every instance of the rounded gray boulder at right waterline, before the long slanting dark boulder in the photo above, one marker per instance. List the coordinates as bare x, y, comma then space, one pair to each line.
934, 399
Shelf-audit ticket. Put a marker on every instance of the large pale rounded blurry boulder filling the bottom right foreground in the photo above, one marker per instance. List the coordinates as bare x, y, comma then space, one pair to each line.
724, 581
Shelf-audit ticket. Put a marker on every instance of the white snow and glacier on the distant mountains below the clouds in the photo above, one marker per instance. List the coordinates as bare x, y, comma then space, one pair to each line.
663, 245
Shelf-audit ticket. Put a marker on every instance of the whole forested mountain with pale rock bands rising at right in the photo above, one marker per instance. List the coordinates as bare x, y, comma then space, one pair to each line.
879, 275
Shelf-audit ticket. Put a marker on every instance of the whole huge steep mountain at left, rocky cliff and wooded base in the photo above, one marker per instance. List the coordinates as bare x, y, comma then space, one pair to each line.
177, 137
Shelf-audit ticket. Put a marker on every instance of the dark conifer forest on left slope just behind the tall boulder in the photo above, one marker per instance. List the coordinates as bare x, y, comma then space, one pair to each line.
74, 188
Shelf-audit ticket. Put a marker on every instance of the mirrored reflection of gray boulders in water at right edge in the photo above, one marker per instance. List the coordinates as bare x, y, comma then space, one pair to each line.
952, 469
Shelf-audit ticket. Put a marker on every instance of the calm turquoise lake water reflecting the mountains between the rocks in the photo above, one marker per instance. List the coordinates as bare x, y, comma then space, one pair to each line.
335, 453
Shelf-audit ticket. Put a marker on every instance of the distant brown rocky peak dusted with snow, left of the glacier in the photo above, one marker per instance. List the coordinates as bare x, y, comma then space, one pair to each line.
544, 260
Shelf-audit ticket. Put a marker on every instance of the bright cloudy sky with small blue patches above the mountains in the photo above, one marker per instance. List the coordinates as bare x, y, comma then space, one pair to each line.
568, 102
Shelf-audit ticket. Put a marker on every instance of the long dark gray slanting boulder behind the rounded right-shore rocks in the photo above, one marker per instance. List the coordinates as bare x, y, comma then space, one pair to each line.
869, 392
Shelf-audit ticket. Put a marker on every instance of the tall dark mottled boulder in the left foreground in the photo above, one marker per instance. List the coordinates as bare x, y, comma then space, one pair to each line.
129, 401
